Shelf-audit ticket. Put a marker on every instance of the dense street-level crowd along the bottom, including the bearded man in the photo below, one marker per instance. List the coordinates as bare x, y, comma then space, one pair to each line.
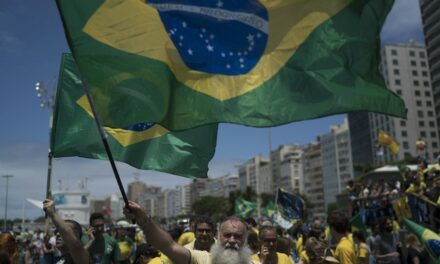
234, 240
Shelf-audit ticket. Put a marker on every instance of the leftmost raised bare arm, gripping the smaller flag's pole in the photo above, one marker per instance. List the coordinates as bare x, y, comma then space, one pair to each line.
72, 242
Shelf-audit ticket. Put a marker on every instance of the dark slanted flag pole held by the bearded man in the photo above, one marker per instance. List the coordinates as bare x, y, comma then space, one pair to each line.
105, 142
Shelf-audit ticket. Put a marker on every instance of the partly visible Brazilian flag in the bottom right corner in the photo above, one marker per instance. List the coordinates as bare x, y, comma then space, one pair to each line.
429, 239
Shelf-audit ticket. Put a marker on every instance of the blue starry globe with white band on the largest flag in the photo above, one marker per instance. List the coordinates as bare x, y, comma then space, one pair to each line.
216, 37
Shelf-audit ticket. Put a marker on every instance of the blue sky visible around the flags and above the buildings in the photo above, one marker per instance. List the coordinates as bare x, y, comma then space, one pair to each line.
31, 43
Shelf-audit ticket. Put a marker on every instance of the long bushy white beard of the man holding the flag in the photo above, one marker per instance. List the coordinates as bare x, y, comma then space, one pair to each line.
222, 255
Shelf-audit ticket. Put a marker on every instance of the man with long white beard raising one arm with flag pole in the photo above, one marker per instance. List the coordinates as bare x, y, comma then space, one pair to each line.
230, 248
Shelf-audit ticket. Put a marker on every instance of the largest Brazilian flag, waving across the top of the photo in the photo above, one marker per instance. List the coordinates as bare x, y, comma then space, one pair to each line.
184, 63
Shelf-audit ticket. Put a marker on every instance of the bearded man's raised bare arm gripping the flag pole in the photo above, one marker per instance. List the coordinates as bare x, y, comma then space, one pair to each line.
156, 236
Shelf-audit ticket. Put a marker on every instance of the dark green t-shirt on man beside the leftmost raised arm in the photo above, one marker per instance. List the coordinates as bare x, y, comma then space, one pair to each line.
104, 250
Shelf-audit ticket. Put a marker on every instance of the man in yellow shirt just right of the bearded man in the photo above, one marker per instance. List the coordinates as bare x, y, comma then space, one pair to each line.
268, 245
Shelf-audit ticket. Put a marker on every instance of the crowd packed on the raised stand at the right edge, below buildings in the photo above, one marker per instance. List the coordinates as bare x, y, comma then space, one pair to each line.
419, 190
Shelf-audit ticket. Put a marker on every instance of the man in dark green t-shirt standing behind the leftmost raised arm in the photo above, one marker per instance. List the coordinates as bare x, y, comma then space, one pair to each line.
102, 248
